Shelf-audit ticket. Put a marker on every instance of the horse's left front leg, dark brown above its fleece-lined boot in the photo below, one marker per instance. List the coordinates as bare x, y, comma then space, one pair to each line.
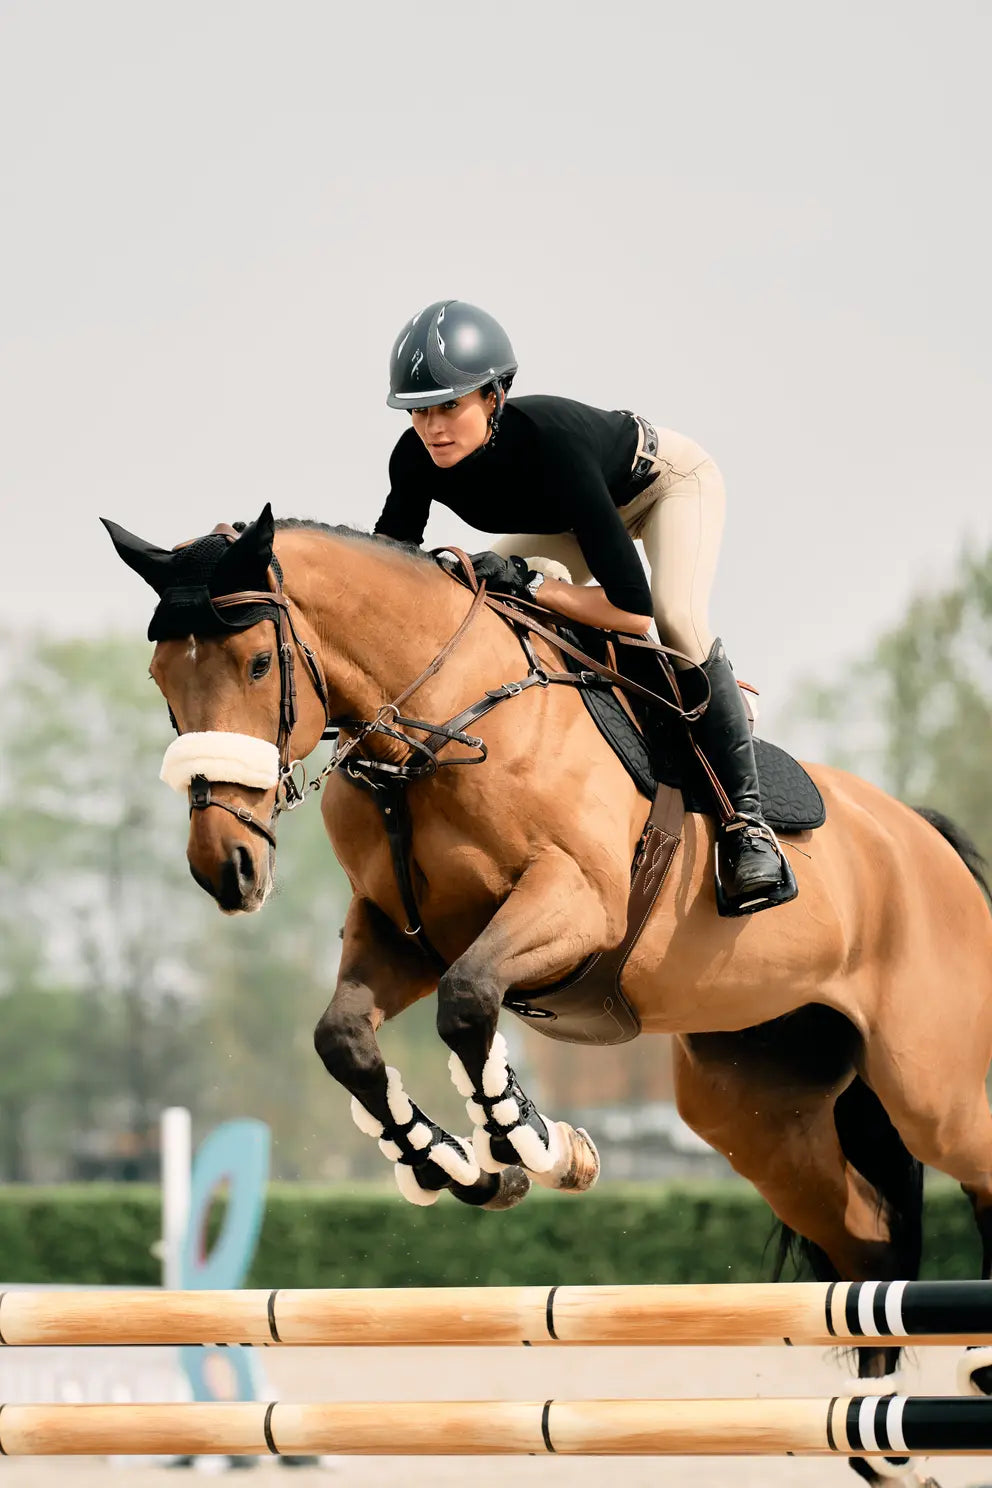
381, 974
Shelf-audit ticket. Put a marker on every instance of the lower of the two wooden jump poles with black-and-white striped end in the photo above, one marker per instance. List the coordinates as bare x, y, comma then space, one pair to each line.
859, 1426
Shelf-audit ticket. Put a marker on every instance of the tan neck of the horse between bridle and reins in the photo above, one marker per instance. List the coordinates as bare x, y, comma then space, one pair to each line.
379, 615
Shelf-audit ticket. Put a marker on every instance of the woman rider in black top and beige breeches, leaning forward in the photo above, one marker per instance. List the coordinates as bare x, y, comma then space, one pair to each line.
581, 484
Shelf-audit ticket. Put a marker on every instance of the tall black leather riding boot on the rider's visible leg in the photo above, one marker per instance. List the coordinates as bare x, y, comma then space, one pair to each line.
752, 871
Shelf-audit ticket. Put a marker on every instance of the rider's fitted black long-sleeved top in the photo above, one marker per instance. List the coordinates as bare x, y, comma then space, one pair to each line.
555, 466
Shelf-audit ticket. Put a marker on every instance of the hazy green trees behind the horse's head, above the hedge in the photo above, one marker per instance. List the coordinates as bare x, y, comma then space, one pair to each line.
123, 989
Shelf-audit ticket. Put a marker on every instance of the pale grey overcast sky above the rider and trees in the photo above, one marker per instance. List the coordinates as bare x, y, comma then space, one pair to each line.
765, 225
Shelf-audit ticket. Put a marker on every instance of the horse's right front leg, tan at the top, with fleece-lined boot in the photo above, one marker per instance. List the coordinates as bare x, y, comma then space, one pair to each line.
550, 923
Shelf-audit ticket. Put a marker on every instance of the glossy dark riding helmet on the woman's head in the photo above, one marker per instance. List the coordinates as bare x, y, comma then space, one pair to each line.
445, 352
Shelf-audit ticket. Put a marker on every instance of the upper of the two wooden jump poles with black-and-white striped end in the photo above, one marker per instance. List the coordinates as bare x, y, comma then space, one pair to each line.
722, 1315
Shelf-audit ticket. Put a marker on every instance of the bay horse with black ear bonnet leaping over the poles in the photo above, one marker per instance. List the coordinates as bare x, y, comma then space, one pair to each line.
828, 1048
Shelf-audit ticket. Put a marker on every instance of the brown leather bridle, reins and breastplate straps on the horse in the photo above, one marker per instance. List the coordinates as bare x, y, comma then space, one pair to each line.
384, 779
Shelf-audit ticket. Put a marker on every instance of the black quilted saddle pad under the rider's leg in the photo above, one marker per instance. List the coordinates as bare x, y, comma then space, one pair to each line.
789, 797
